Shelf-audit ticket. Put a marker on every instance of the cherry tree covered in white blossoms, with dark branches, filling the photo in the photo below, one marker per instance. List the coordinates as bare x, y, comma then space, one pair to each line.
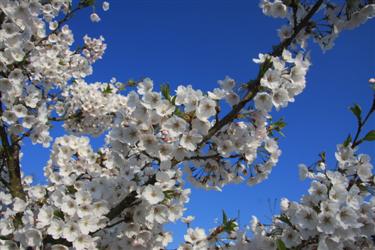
121, 195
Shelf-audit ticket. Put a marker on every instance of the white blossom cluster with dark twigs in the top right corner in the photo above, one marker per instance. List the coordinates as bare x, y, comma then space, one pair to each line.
335, 19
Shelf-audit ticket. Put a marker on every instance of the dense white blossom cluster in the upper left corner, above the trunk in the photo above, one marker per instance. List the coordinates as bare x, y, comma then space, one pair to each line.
36, 66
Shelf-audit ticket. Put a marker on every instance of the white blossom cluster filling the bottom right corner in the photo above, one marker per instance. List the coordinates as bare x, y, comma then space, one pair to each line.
336, 213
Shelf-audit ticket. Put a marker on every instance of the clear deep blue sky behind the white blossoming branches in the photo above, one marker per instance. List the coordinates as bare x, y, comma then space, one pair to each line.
199, 42
